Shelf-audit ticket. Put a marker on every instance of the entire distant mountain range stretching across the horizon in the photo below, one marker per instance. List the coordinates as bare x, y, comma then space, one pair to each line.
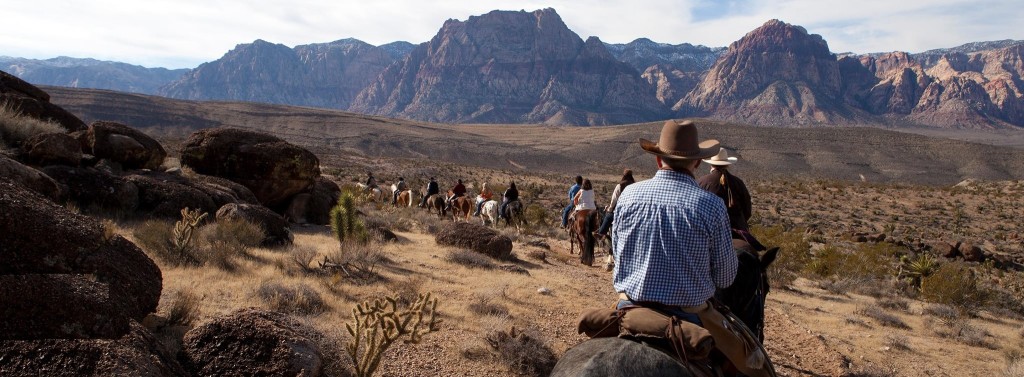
519, 67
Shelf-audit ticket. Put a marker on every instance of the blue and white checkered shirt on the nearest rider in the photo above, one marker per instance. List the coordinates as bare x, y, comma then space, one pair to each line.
672, 242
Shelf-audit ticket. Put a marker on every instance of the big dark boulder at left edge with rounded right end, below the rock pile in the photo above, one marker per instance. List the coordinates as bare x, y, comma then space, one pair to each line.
40, 237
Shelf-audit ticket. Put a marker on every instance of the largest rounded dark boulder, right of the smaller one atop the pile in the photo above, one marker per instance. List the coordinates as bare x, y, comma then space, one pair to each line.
275, 171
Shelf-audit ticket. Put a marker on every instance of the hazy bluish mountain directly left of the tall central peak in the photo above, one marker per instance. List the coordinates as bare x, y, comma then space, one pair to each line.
325, 75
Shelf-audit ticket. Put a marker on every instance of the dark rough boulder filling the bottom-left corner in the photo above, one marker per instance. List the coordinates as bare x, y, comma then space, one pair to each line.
137, 354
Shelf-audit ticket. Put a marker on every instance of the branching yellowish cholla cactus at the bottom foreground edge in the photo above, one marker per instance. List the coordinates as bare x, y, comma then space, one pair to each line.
377, 325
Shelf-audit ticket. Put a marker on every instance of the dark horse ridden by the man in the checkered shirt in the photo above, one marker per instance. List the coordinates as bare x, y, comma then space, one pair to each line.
620, 358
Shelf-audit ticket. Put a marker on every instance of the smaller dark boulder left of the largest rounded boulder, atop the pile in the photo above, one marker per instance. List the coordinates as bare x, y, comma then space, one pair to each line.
131, 148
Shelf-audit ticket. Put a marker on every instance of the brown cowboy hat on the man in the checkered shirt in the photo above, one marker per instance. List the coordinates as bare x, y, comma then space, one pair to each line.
679, 142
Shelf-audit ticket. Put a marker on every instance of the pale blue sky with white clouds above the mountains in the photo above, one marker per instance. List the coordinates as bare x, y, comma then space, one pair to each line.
186, 33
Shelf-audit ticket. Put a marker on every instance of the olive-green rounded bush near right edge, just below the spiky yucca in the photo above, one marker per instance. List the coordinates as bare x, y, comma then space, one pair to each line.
956, 285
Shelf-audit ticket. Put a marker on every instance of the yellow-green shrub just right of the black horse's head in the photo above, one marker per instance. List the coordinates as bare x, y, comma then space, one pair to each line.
795, 254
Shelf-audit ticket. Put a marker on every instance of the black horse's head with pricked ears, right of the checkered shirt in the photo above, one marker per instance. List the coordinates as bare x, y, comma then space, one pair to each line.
746, 298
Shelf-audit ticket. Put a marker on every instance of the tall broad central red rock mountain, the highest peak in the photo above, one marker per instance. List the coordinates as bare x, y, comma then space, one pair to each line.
511, 67
